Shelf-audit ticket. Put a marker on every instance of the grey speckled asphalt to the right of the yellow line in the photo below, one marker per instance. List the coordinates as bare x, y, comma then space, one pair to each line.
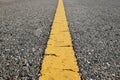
95, 31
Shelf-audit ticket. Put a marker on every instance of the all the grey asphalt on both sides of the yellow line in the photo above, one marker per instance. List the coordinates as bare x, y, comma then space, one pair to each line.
25, 27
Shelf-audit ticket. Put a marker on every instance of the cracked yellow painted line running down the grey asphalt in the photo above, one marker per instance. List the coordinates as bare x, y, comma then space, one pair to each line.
59, 62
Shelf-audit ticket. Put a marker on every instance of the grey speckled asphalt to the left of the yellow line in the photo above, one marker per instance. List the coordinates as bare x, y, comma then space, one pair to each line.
24, 31
